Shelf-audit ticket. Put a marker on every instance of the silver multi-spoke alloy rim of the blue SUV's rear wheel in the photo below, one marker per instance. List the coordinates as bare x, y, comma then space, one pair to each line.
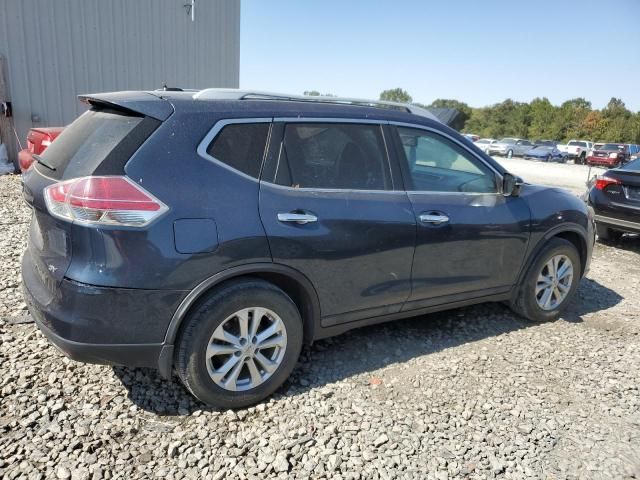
246, 349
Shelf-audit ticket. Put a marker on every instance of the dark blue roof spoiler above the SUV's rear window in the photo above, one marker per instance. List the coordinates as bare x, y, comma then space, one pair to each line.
140, 103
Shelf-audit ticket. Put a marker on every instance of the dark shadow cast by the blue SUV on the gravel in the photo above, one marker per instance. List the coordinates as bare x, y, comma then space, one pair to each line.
368, 349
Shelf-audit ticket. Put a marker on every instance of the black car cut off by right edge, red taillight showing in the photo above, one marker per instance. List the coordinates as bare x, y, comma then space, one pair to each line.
615, 197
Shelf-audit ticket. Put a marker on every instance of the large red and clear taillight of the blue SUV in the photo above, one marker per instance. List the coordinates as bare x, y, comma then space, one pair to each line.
103, 201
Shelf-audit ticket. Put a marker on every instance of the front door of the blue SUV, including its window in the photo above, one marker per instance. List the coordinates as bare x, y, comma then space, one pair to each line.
471, 240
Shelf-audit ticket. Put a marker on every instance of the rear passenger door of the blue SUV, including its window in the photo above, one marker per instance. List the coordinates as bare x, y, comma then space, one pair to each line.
332, 210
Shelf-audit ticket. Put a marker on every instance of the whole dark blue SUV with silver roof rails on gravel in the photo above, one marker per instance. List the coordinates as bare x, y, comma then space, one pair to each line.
213, 233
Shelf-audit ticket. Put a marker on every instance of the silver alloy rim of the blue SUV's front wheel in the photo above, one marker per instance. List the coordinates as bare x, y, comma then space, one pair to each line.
554, 282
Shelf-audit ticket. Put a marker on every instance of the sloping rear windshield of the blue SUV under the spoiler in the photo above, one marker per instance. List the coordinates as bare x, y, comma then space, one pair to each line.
84, 145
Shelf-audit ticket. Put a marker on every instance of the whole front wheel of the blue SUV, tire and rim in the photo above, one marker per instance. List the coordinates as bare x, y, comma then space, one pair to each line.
550, 282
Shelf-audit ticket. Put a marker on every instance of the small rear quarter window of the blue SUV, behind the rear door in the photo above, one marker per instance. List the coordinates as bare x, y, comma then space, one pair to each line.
241, 146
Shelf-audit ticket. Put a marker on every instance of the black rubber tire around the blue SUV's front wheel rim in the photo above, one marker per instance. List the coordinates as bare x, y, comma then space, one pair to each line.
526, 302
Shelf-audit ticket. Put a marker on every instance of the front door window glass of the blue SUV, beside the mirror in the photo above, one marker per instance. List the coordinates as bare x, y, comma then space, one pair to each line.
436, 164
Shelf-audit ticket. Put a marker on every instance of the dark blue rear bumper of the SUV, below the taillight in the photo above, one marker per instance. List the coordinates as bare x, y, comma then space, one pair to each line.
100, 324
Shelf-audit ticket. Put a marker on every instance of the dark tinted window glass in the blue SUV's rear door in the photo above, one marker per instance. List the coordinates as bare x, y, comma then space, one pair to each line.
333, 155
